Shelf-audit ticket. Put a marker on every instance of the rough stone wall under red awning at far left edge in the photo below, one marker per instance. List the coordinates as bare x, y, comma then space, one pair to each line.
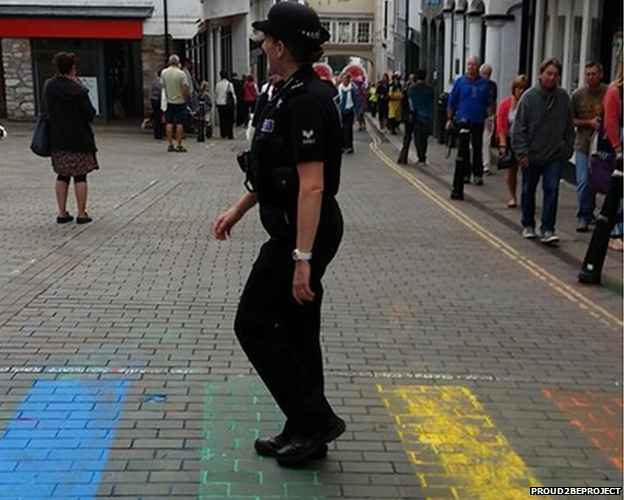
18, 79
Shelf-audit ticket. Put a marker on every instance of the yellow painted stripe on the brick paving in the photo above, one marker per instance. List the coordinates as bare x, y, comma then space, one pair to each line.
453, 443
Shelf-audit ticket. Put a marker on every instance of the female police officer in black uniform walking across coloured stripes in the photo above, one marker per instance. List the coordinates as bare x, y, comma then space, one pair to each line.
295, 172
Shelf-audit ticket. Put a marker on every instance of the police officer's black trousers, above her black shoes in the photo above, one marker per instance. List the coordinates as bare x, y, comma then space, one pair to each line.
282, 338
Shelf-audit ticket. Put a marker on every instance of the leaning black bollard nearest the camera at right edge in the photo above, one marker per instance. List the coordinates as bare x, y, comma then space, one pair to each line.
593, 263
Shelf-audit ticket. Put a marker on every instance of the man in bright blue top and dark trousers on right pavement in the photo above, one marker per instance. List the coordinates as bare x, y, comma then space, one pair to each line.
470, 103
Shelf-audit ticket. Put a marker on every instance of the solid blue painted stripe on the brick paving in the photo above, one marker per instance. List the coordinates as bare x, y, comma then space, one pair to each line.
50, 450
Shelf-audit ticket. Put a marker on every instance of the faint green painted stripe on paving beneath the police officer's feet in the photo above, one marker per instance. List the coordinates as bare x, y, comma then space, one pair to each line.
236, 413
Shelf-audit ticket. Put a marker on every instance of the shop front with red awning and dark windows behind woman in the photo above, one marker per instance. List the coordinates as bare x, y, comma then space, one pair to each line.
108, 56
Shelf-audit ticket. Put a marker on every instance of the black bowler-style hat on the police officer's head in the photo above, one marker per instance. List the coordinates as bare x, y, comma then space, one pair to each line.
293, 22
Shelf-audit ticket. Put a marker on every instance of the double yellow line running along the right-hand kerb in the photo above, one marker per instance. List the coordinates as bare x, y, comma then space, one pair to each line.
555, 283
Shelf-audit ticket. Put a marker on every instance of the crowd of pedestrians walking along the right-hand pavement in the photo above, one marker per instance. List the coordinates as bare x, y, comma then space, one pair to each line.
536, 129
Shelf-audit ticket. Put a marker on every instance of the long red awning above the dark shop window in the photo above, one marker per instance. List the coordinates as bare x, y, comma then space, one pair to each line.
103, 29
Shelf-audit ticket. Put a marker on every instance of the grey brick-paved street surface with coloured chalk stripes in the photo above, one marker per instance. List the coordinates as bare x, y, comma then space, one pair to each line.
467, 362
